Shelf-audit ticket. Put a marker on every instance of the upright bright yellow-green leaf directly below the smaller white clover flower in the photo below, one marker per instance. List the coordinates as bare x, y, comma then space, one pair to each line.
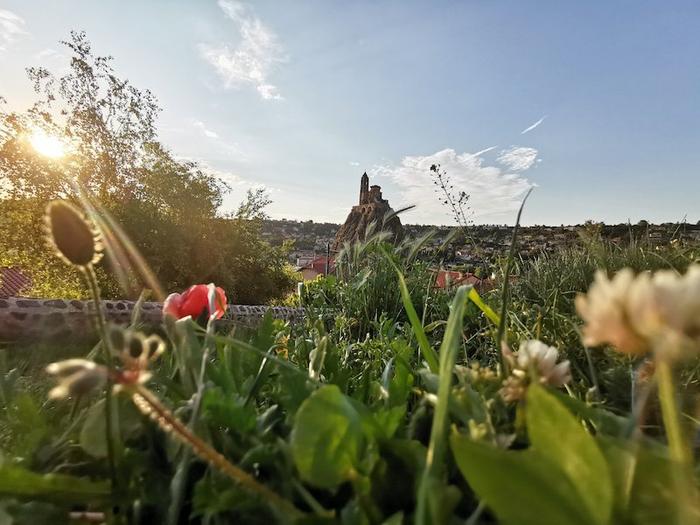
559, 435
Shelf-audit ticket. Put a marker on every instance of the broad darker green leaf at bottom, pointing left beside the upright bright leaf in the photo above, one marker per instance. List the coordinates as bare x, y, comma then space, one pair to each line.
520, 487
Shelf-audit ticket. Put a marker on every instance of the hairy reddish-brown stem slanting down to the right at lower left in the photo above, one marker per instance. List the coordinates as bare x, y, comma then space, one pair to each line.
151, 405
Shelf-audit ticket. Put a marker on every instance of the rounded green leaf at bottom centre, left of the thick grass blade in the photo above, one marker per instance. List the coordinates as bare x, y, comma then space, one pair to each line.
328, 440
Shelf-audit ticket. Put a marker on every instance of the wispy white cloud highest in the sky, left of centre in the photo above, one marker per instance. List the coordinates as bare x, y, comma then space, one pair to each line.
253, 59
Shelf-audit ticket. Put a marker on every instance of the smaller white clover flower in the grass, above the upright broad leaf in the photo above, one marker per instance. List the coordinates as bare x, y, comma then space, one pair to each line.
534, 362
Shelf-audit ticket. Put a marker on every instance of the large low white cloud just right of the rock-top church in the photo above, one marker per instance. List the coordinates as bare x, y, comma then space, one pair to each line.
494, 194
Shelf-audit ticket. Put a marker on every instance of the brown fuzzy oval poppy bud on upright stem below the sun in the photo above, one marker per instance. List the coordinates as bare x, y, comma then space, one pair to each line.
72, 235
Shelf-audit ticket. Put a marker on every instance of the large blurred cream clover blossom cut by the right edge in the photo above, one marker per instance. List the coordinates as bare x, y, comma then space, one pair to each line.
635, 314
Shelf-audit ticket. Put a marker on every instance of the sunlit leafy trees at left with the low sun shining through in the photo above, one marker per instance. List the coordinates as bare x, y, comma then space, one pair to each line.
170, 209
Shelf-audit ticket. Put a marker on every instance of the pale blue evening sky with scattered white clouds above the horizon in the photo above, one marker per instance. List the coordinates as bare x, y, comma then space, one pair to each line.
595, 105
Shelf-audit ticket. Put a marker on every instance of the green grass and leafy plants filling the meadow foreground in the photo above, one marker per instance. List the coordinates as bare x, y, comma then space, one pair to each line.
382, 406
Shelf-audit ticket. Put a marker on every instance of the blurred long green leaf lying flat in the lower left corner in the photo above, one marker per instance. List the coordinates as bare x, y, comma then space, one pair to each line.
16, 482
